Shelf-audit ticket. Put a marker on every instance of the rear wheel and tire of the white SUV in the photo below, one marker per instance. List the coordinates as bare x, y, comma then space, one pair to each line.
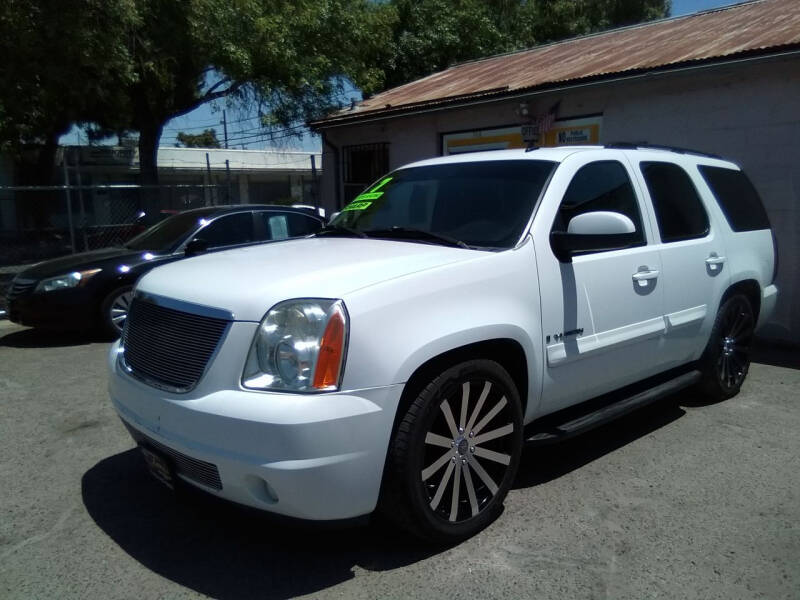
726, 359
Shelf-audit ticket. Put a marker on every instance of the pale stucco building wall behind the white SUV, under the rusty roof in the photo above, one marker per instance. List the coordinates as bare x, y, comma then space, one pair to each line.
749, 113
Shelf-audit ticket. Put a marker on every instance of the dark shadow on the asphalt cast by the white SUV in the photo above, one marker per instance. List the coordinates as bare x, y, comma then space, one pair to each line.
226, 551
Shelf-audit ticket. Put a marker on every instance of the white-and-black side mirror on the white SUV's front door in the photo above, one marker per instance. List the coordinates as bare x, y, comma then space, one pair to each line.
593, 232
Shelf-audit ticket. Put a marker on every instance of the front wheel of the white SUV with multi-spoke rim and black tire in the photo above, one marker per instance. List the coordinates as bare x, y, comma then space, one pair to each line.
450, 466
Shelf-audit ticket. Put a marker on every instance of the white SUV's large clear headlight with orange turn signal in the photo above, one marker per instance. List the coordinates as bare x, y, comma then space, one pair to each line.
299, 347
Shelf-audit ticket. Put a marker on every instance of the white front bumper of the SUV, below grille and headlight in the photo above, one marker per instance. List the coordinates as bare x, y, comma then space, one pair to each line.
315, 456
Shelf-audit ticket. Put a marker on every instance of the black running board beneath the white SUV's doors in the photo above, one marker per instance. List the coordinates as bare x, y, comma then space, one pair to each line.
600, 416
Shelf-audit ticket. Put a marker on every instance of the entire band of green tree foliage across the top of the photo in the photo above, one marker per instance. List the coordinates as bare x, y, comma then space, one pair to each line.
131, 65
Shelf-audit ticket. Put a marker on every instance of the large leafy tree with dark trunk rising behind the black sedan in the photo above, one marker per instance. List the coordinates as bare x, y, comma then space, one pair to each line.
285, 56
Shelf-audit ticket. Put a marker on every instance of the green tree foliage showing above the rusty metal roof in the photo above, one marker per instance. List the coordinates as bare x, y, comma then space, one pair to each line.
426, 36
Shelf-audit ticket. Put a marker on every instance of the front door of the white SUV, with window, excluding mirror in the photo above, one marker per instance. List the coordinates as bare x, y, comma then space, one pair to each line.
602, 314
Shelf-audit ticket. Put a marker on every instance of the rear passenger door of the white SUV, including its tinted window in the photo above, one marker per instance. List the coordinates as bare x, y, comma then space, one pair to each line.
693, 257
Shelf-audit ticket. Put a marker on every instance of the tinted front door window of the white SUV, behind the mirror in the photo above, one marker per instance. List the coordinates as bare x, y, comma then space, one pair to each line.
601, 185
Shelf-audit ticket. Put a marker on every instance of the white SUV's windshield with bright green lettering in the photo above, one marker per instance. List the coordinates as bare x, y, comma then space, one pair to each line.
482, 204
